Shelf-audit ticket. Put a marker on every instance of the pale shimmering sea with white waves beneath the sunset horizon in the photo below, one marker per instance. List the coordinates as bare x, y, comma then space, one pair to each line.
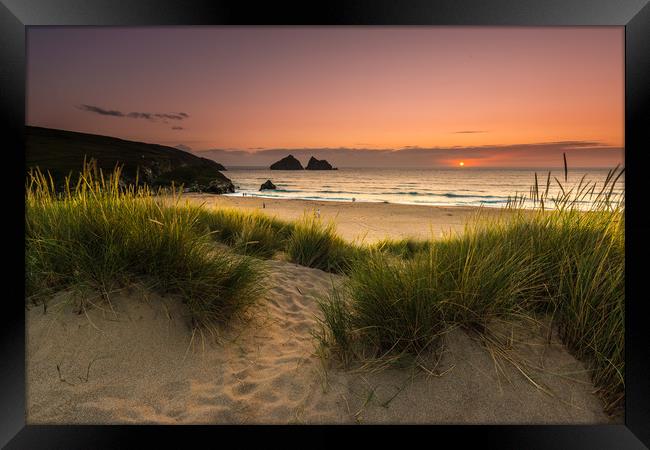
458, 187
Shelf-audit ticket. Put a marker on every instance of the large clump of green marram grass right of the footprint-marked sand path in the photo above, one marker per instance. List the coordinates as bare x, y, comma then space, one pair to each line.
566, 262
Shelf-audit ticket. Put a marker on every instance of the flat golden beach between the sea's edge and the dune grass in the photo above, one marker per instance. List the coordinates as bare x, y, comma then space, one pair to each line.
372, 221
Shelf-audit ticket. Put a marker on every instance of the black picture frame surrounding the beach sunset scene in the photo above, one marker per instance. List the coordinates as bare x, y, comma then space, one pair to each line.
634, 15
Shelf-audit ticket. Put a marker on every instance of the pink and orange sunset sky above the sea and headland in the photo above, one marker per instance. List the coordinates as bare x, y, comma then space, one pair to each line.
501, 96
